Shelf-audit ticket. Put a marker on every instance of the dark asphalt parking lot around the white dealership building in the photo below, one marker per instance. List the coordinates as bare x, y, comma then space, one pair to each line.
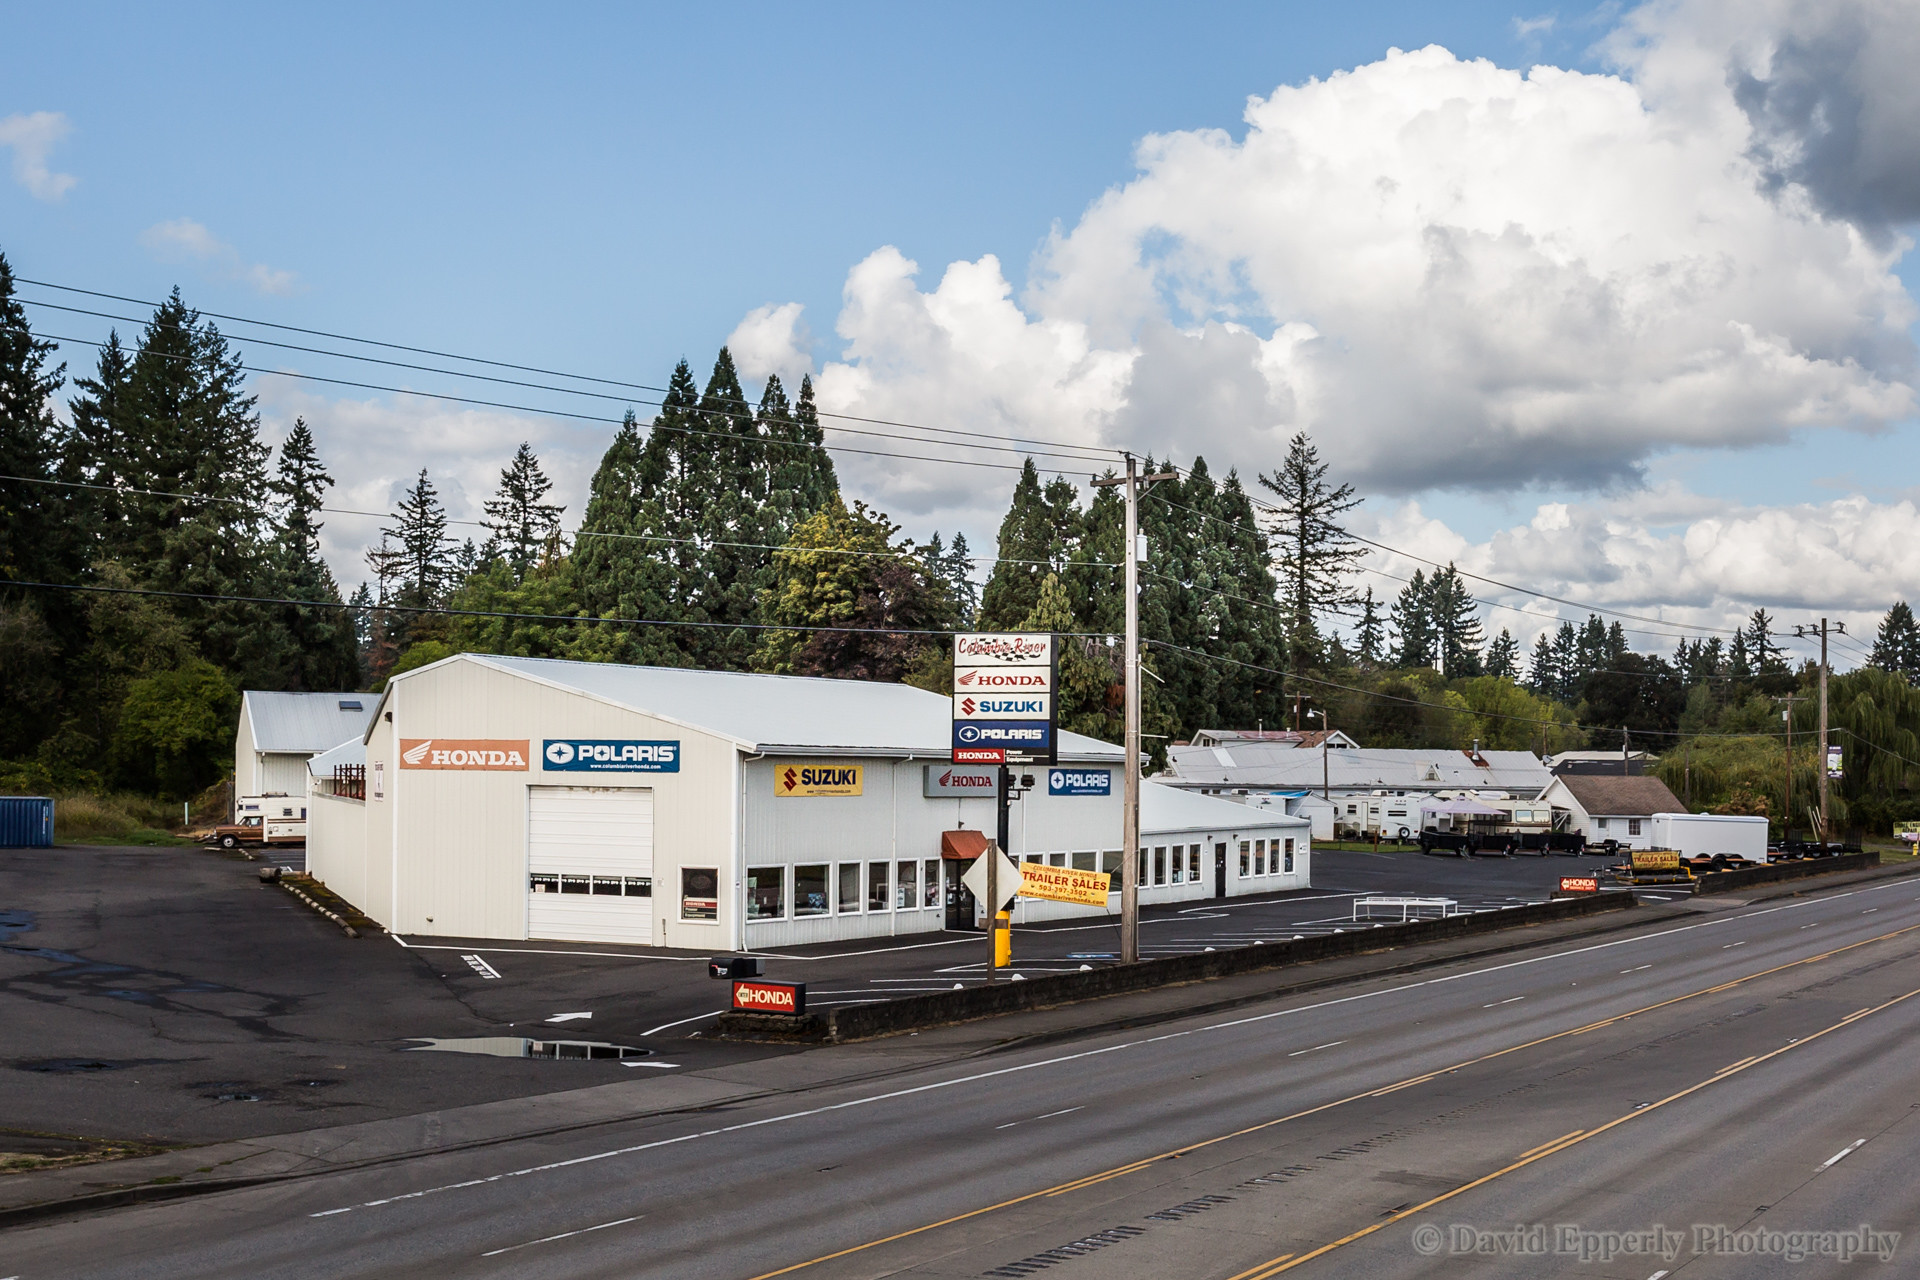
168, 995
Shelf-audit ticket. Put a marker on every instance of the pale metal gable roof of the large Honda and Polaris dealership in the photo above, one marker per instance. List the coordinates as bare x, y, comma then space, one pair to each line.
779, 715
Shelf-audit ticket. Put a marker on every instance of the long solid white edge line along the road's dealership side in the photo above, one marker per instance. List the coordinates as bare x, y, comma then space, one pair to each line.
1082, 1056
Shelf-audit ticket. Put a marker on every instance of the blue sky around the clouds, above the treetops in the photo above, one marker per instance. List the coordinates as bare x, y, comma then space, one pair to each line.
606, 189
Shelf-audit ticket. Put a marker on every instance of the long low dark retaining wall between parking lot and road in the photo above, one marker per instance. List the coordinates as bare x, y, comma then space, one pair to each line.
861, 1022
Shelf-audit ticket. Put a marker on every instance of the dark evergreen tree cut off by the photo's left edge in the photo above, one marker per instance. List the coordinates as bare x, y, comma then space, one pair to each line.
30, 444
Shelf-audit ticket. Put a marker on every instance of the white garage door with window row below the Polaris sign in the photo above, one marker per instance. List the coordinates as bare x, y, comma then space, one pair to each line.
590, 865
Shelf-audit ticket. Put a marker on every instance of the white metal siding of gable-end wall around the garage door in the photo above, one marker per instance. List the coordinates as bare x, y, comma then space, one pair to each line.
464, 836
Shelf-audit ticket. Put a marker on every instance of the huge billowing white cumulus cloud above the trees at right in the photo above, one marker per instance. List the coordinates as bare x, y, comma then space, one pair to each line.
1452, 275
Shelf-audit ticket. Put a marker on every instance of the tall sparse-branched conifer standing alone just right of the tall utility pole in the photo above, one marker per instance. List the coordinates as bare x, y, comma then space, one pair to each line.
1312, 548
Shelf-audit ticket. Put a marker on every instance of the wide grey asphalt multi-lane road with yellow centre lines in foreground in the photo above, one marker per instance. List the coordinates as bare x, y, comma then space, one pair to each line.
1746, 1072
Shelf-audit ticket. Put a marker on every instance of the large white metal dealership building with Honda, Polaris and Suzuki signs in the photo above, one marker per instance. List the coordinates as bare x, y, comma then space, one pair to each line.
721, 811
